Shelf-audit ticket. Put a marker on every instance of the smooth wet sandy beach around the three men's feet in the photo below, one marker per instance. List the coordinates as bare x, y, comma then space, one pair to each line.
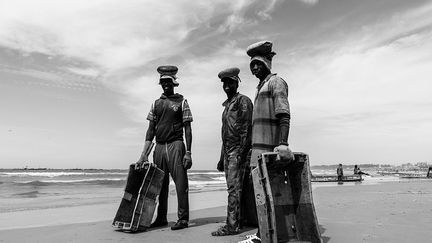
382, 211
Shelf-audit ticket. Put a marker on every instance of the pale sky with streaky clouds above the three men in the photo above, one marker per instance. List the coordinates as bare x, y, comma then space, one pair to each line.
77, 78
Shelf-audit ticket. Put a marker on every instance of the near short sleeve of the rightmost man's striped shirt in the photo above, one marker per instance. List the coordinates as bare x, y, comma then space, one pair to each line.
279, 91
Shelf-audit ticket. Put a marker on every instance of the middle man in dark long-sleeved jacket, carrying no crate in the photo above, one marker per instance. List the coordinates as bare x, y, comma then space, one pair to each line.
236, 143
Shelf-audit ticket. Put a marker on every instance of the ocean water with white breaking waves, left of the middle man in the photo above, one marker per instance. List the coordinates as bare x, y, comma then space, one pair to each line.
22, 190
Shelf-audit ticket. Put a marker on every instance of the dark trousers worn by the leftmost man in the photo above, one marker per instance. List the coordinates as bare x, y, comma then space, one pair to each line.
169, 158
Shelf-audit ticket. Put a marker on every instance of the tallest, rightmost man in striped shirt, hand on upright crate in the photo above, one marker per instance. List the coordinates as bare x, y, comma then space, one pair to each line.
271, 113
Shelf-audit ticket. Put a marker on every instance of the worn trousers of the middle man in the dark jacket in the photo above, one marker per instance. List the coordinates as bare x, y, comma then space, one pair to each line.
234, 174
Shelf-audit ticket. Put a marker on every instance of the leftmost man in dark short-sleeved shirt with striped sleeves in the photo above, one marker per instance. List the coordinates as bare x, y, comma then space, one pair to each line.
168, 116
